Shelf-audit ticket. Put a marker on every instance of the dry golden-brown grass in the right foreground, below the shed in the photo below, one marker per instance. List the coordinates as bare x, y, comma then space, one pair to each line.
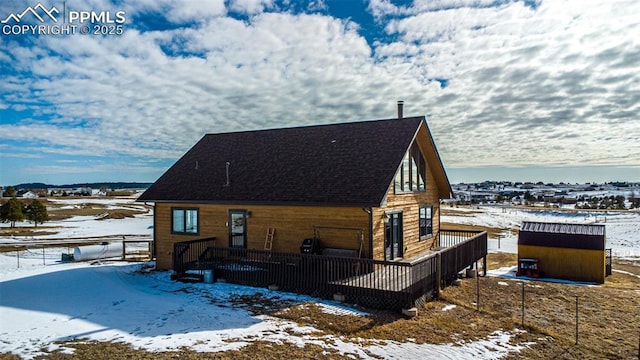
609, 315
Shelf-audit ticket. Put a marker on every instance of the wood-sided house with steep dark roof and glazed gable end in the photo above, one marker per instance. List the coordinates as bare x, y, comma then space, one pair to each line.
368, 189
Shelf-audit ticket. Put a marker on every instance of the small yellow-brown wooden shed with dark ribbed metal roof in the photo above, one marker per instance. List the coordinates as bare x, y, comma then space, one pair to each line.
565, 251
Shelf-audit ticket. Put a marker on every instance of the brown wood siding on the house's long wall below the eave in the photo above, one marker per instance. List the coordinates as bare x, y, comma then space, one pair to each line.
293, 224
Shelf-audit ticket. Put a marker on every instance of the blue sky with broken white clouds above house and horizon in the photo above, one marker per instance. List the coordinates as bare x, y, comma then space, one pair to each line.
513, 90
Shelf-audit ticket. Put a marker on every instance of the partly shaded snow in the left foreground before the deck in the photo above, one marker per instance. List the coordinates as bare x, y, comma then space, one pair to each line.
115, 302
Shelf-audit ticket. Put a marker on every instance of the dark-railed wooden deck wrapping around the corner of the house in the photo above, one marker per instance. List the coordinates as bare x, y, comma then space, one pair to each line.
371, 283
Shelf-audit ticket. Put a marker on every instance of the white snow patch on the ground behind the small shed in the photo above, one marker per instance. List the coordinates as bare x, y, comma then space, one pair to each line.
622, 229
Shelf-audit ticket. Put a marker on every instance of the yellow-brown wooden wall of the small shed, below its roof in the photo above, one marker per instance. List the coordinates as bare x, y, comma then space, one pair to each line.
567, 263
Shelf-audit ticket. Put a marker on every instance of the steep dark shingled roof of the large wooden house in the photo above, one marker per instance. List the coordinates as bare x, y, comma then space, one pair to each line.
348, 164
